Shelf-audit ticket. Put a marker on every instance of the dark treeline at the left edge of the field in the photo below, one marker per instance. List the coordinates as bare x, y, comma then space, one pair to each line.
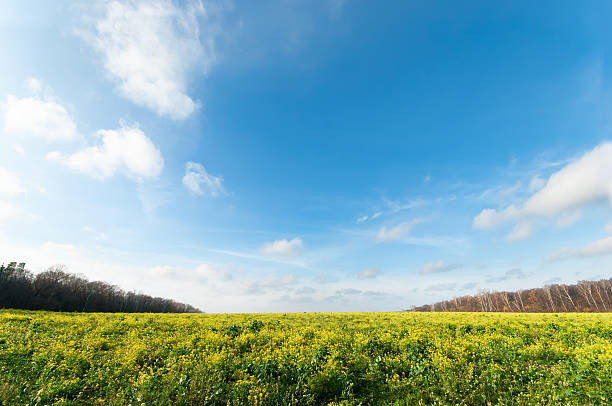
58, 290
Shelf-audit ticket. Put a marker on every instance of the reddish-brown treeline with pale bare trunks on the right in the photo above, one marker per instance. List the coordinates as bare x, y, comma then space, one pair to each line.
585, 296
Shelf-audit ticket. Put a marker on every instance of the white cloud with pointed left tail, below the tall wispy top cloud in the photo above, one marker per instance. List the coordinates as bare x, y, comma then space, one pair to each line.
125, 149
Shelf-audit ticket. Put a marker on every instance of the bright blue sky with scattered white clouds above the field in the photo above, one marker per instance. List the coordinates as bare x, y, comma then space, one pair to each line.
307, 155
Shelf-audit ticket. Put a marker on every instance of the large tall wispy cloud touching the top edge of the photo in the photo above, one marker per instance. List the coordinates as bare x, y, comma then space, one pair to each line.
150, 47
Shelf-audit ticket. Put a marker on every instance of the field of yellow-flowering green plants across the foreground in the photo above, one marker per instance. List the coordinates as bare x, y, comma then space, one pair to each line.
305, 359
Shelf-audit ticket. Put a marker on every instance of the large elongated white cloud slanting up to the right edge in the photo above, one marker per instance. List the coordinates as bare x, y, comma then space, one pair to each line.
578, 184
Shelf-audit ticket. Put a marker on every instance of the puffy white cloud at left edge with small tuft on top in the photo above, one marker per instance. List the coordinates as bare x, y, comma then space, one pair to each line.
38, 116
